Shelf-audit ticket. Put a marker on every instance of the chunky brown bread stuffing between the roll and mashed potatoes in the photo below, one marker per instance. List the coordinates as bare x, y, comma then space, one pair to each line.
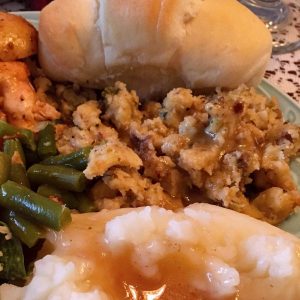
230, 148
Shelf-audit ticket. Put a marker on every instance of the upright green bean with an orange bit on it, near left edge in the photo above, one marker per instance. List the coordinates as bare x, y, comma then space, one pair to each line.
14, 150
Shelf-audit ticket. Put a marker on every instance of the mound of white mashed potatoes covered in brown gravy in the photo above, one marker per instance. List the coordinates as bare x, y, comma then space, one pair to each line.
153, 253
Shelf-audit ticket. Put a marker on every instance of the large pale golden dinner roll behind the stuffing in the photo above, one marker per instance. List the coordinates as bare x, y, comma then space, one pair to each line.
153, 45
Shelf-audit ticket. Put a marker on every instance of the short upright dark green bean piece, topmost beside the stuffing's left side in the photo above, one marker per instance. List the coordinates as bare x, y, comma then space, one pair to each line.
46, 143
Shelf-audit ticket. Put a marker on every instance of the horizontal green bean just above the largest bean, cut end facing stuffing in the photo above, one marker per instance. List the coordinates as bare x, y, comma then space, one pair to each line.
59, 176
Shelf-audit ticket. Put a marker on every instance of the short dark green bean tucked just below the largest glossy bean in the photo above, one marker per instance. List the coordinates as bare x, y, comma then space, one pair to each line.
26, 231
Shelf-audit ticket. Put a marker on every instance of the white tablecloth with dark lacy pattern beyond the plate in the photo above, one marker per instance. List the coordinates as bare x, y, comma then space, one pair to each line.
283, 70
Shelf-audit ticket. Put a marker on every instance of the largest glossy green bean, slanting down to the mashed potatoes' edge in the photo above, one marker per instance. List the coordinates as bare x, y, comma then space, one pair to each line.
33, 206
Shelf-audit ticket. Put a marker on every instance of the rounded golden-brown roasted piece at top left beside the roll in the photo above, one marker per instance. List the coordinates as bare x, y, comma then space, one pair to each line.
18, 38
